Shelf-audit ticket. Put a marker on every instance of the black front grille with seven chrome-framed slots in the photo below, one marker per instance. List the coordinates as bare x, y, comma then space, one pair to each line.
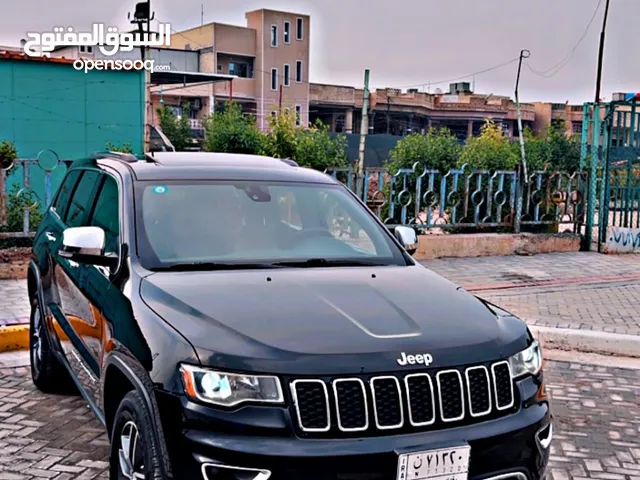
386, 404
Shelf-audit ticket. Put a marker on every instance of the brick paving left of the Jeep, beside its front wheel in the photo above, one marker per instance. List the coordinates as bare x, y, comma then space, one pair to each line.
47, 436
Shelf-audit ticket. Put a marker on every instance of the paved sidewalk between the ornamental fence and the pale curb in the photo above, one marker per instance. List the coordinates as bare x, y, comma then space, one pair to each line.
586, 291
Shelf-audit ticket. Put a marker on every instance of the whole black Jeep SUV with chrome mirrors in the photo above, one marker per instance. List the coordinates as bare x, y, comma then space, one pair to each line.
240, 317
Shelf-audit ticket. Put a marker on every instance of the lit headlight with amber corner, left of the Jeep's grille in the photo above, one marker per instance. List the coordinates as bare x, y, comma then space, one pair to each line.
229, 389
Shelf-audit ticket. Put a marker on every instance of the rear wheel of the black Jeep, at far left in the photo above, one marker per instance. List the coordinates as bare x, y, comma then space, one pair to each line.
47, 373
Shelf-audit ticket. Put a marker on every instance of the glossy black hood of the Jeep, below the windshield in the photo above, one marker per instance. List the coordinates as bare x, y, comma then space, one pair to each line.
330, 320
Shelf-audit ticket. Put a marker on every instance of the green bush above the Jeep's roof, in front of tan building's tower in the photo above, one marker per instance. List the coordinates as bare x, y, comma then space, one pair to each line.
231, 131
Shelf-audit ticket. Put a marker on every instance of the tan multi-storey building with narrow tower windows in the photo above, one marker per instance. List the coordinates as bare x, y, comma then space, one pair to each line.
269, 58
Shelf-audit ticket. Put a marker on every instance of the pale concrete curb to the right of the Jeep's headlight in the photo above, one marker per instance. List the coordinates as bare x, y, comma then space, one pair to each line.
588, 341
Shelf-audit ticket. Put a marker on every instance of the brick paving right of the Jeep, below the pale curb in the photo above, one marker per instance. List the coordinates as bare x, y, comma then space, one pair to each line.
597, 420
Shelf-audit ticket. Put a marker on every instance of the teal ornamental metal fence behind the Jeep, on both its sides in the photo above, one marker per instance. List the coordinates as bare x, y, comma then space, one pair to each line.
463, 199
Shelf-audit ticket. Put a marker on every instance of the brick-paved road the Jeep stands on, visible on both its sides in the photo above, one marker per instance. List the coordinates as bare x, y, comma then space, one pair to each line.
597, 413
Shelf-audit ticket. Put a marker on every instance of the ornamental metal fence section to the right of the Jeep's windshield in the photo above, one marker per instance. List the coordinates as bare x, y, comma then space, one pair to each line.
472, 199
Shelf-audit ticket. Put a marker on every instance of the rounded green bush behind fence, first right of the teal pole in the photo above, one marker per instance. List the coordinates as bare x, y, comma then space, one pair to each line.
436, 150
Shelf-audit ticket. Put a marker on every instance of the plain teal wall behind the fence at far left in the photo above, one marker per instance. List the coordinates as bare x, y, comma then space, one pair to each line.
47, 105
